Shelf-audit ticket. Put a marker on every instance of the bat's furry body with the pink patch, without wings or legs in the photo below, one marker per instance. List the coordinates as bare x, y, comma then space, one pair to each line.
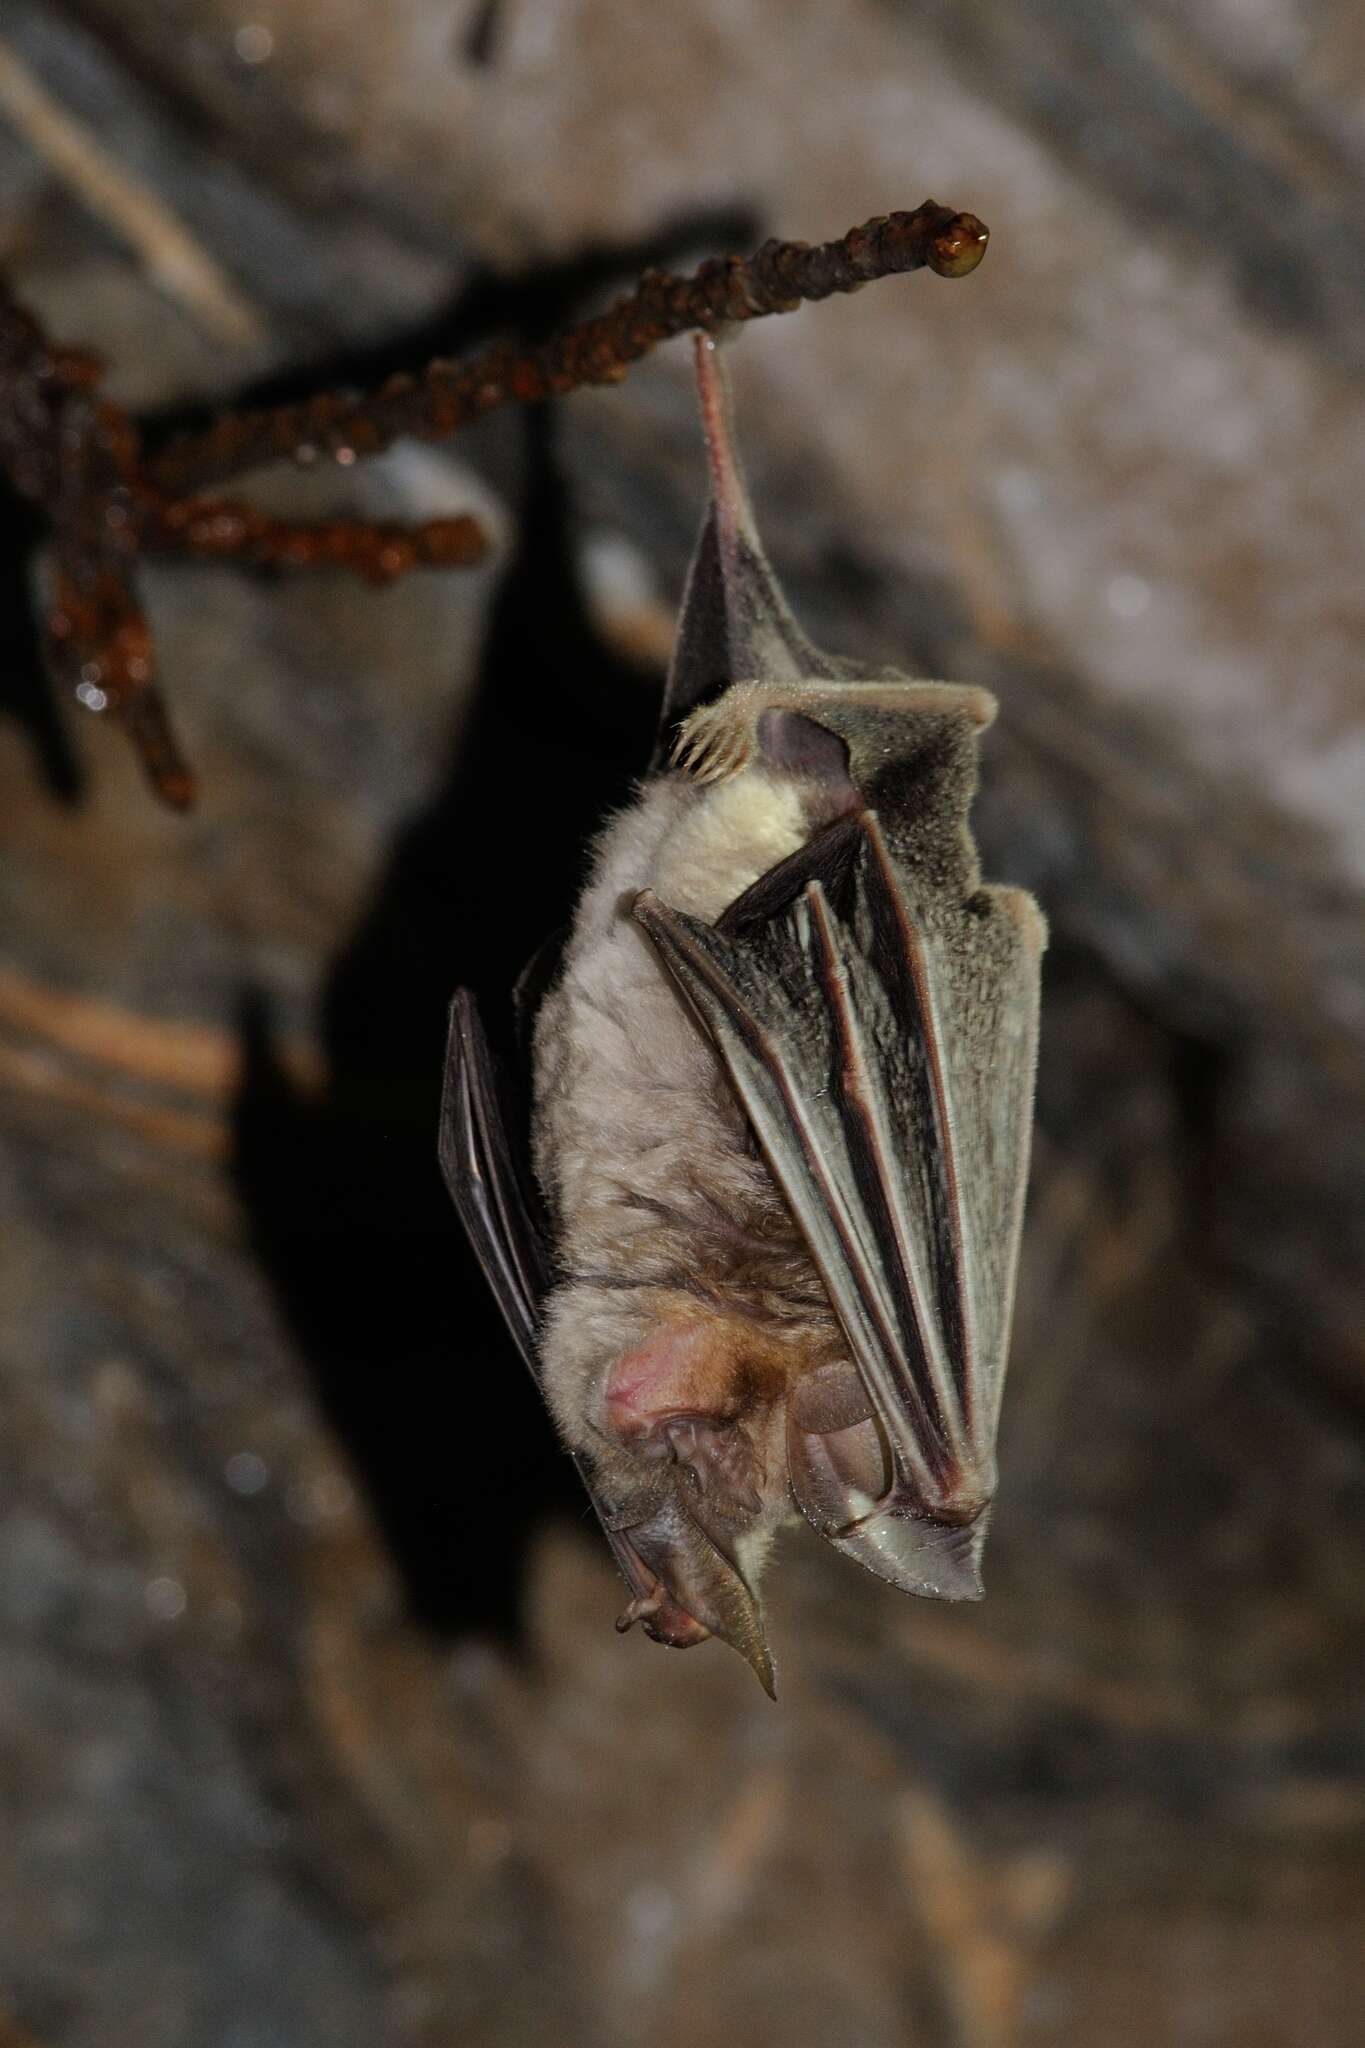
682, 1265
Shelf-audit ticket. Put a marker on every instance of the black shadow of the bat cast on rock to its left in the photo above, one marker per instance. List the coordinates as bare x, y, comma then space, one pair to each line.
345, 1197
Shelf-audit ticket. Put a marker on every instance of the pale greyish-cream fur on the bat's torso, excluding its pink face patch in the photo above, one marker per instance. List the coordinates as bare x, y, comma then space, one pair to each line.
640, 1142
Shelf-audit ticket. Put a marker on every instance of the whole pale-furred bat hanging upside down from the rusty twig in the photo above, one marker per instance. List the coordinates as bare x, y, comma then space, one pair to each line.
762, 1242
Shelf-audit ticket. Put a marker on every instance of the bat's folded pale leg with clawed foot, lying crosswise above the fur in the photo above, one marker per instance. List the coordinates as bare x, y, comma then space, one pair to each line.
762, 724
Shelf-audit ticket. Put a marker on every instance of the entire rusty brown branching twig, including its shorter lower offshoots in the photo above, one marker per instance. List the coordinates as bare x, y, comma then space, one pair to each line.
107, 505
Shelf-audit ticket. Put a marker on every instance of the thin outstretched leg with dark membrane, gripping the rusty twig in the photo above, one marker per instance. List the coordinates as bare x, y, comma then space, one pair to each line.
736, 624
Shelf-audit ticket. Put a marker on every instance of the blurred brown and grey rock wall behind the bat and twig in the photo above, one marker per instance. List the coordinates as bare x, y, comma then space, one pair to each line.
314, 1727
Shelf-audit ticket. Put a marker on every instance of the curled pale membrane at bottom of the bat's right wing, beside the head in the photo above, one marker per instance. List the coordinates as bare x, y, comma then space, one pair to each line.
840, 1486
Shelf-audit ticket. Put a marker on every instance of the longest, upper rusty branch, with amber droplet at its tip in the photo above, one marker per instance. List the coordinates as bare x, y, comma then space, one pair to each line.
449, 396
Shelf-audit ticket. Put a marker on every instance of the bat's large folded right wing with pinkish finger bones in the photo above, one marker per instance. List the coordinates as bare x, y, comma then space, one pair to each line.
881, 1041
